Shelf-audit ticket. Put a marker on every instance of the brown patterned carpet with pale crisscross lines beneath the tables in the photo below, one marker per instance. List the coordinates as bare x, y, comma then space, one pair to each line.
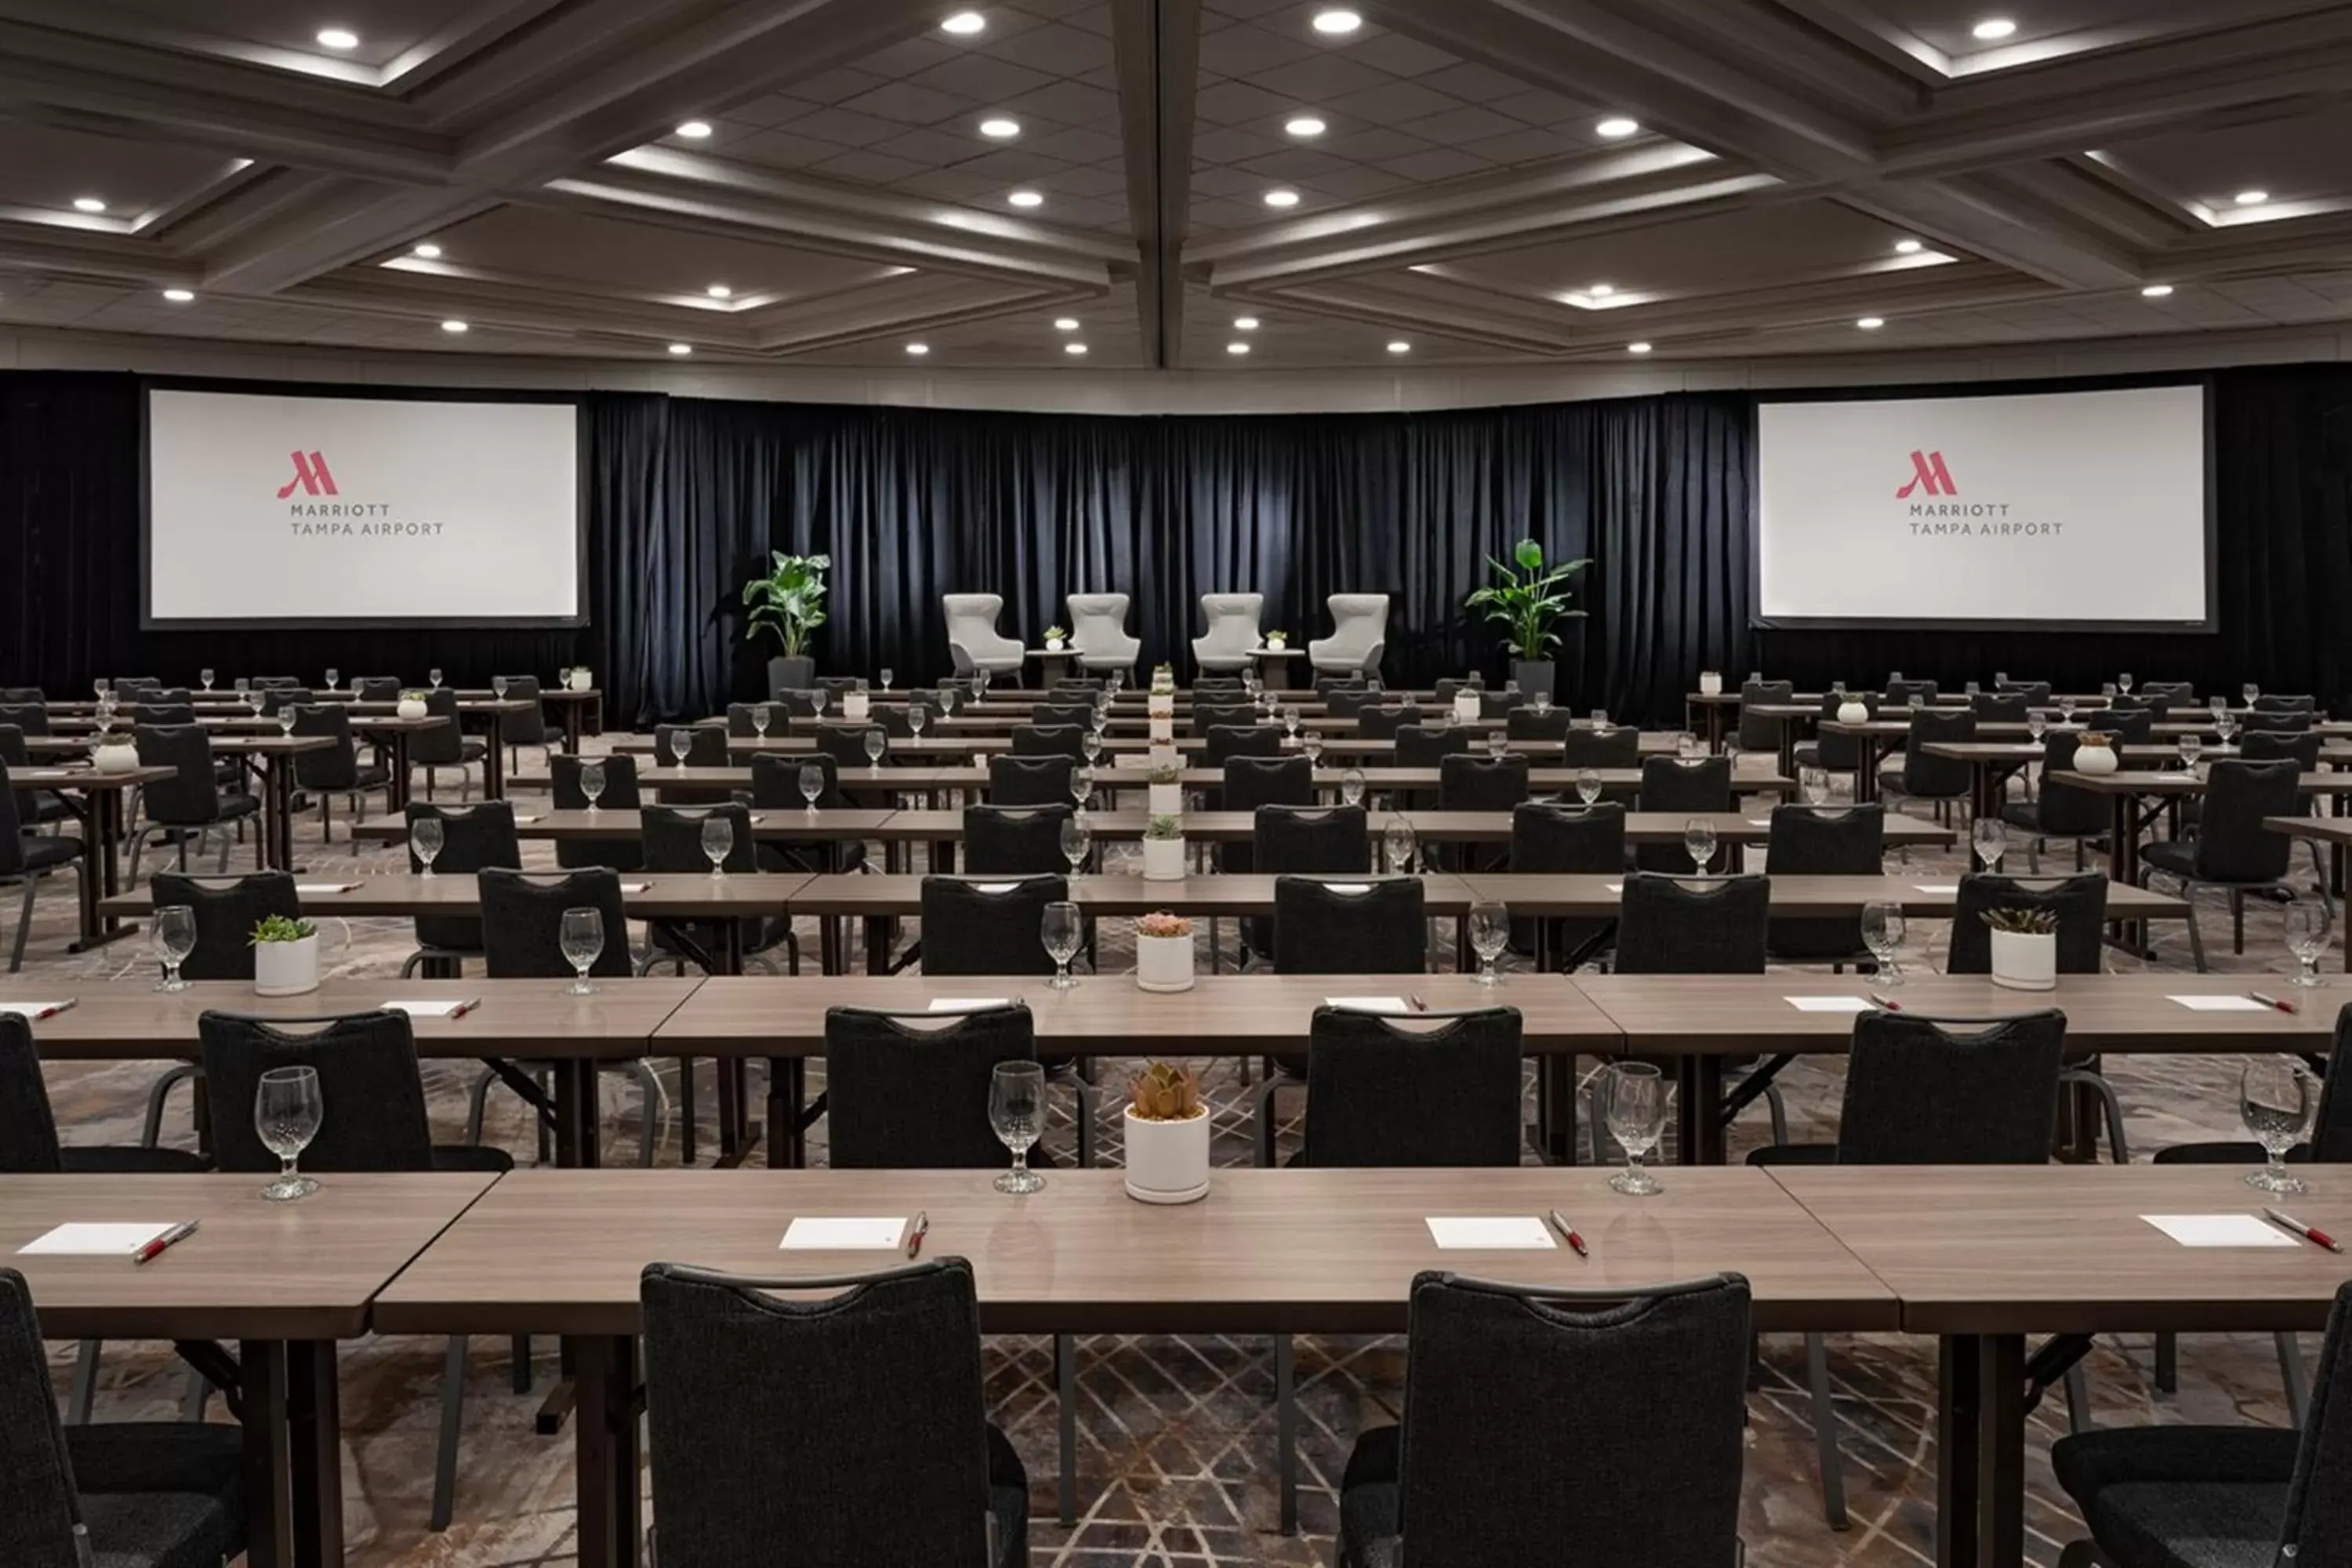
1177, 1438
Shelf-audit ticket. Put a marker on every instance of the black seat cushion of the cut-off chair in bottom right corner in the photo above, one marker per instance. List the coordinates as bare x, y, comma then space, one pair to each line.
2181, 1496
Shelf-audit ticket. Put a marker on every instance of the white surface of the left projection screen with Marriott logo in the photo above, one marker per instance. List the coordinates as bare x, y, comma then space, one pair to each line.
323, 511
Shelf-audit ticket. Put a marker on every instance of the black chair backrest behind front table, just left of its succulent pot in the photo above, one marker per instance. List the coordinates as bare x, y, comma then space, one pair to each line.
909, 1092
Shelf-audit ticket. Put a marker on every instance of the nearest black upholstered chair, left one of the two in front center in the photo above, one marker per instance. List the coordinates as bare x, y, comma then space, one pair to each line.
841, 1430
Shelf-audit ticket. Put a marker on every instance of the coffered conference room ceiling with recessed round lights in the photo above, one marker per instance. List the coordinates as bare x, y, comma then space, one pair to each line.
509, 177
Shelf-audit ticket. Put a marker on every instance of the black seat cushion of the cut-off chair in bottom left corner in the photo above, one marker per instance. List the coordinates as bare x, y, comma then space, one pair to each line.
161, 1494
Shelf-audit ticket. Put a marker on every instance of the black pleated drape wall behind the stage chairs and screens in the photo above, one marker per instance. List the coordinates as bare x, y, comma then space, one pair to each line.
688, 497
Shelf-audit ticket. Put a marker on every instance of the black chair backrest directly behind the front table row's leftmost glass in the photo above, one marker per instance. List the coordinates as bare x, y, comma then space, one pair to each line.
368, 1083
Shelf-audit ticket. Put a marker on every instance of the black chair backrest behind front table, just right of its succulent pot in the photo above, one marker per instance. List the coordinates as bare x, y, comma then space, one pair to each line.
1384, 1092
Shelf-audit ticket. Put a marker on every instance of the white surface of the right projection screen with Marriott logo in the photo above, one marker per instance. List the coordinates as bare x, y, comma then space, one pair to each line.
1996, 511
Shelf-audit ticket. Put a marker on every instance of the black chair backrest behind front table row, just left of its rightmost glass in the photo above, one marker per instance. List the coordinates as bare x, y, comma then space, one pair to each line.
1939, 1092
